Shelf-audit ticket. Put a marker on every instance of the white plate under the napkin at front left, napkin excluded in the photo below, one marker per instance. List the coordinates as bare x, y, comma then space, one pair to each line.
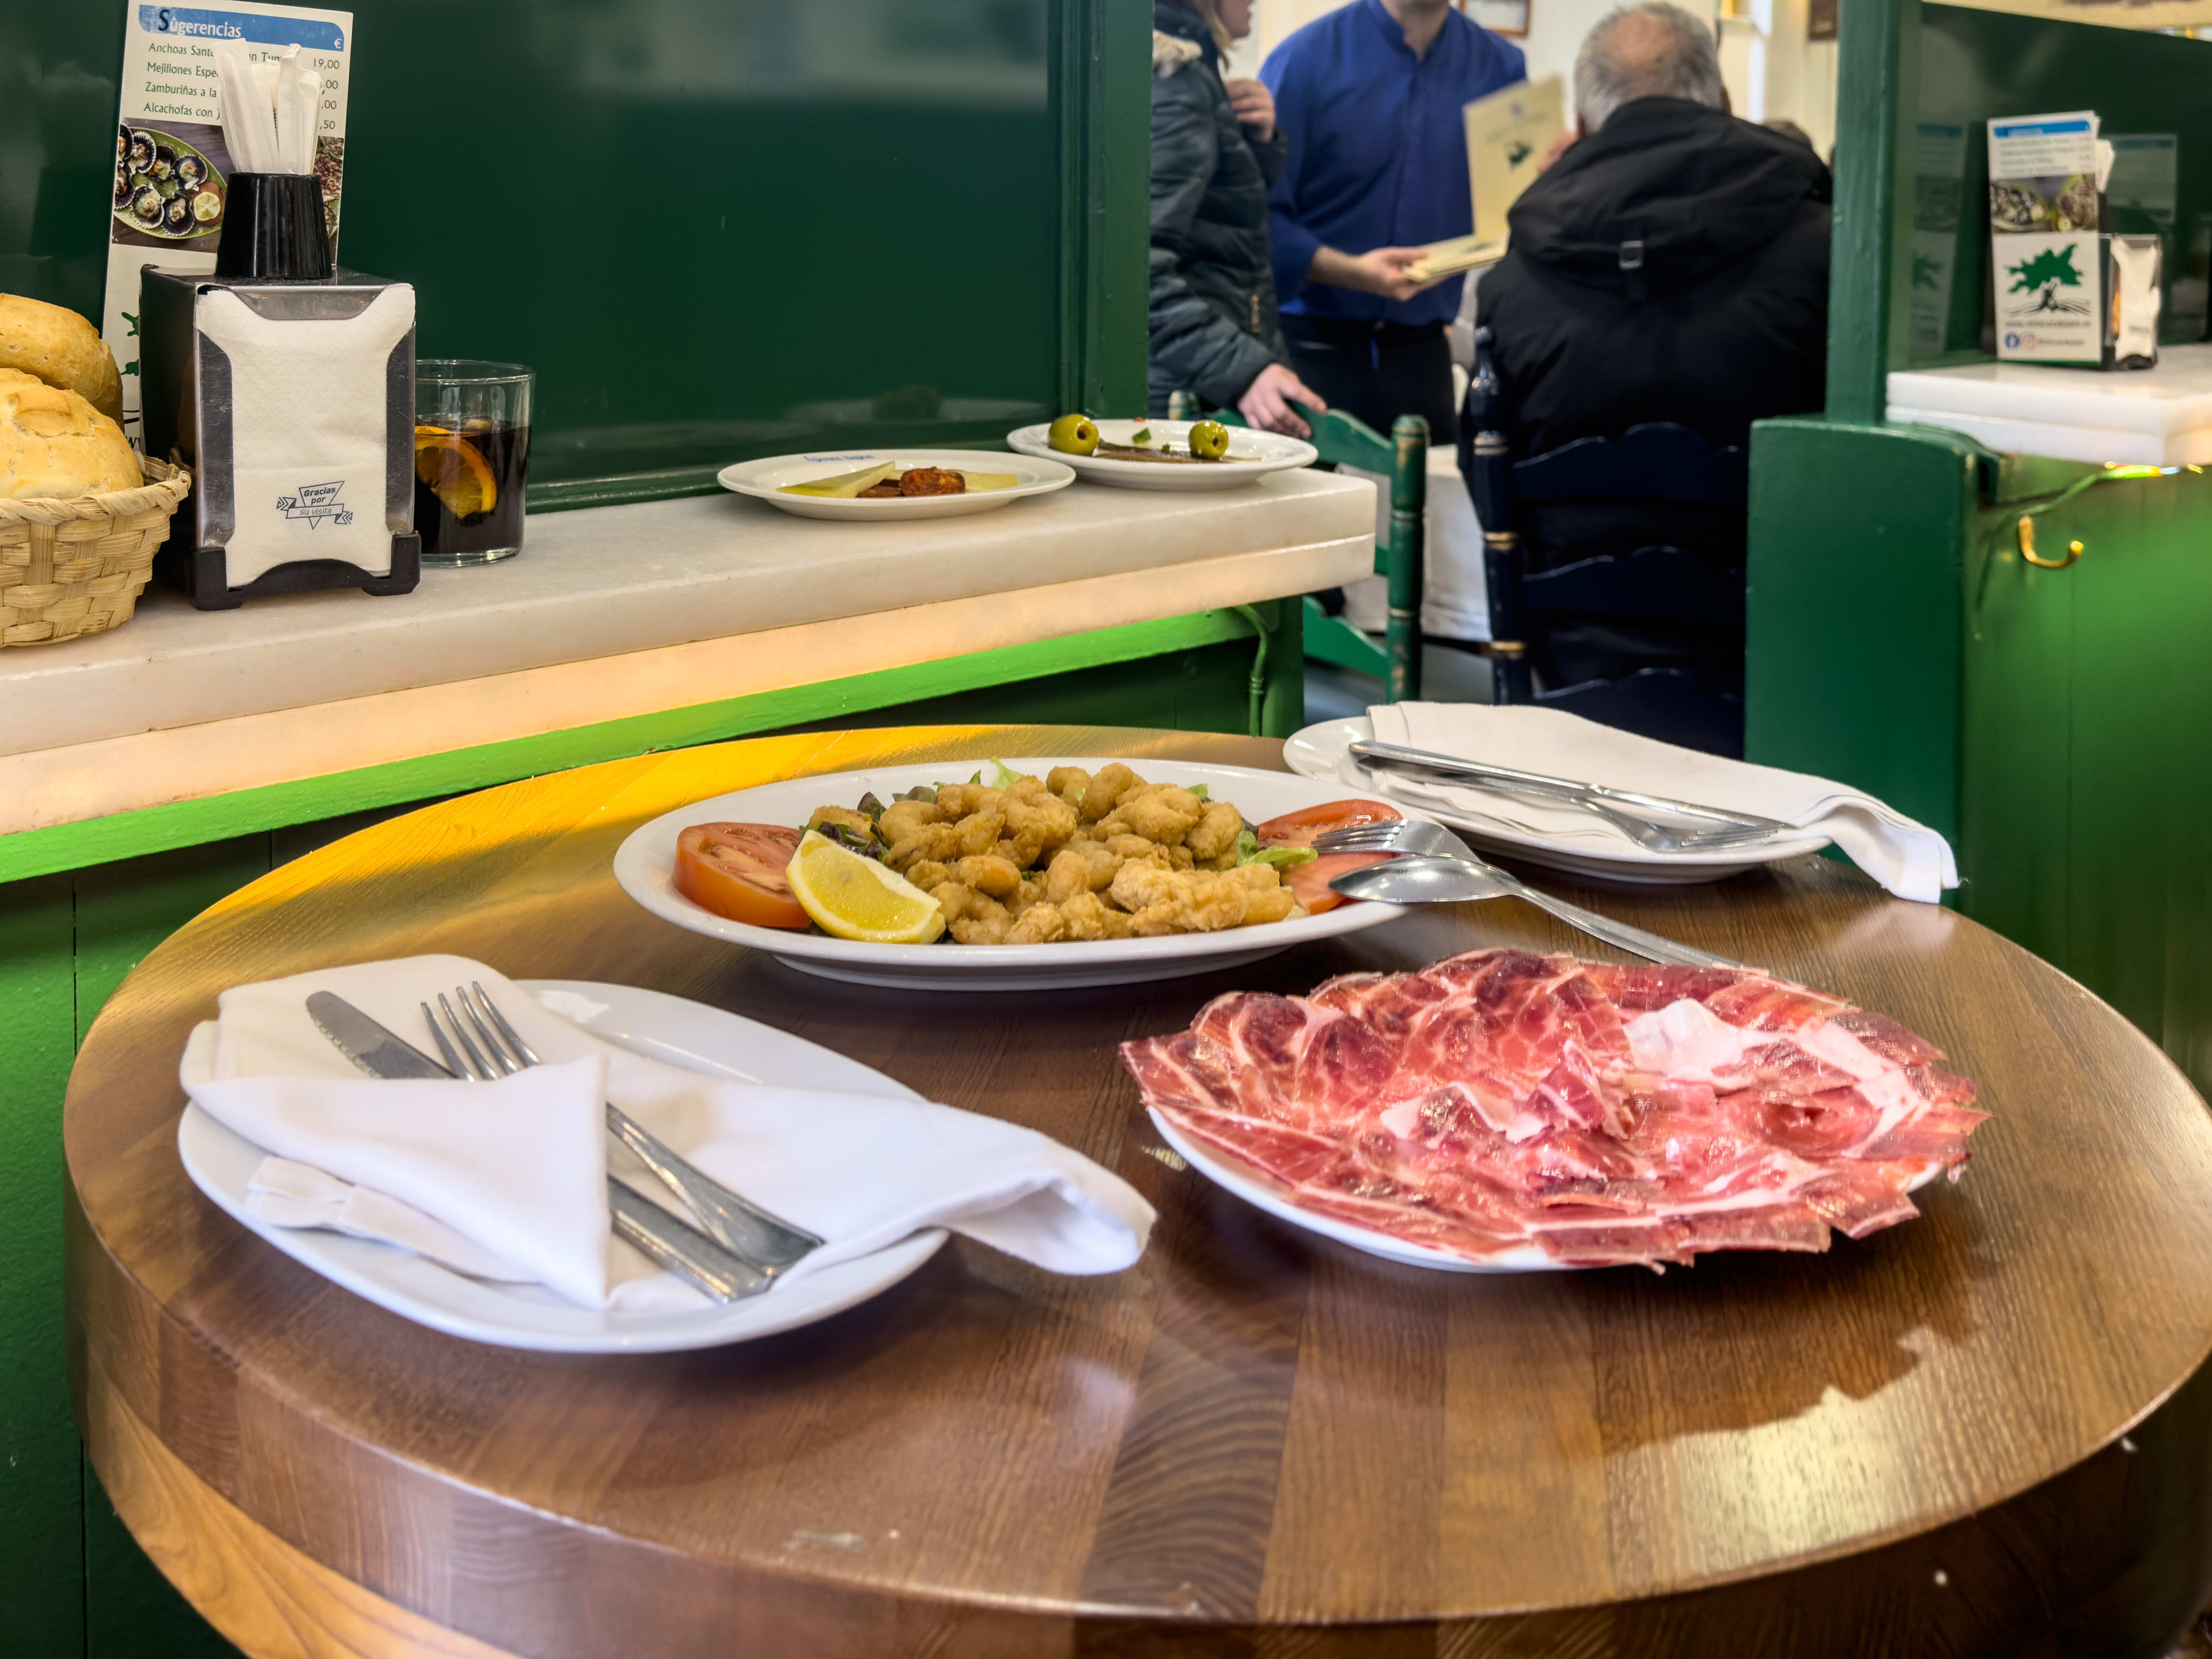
649, 1023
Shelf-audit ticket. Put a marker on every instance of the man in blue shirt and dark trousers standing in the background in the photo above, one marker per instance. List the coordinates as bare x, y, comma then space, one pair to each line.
1370, 101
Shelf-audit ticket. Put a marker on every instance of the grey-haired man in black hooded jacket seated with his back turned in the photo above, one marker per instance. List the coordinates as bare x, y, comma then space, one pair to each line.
1671, 264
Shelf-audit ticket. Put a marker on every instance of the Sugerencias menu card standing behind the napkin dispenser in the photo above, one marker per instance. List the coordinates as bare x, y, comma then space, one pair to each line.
171, 165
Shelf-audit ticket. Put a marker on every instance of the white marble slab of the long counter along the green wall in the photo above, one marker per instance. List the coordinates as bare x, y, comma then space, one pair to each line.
614, 581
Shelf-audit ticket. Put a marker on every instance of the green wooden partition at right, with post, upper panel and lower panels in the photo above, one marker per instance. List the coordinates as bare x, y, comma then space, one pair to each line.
2054, 722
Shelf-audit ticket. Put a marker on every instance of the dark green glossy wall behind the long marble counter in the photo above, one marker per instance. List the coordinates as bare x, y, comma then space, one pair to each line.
718, 229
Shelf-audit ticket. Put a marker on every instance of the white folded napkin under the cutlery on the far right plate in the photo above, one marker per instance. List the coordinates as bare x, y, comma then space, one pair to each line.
1906, 857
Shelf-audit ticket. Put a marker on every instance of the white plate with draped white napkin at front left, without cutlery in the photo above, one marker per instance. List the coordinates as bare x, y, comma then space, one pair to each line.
382, 1185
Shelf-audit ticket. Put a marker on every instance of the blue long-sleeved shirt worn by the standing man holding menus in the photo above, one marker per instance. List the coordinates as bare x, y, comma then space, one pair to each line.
1377, 149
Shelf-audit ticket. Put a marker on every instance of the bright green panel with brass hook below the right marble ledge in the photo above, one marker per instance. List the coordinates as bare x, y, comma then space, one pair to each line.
2087, 771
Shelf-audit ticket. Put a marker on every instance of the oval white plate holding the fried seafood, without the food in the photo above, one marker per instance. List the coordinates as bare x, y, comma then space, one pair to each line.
645, 866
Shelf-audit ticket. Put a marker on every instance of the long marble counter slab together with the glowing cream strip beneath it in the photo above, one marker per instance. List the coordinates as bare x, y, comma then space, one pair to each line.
623, 612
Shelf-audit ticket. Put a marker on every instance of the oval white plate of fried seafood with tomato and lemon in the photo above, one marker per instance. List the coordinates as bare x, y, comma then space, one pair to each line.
1021, 875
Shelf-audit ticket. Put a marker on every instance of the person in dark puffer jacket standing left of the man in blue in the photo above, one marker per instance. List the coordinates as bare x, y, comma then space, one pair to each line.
1215, 156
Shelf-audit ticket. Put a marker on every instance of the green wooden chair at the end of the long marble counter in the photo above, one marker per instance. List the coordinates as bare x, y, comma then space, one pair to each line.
1404, 459
